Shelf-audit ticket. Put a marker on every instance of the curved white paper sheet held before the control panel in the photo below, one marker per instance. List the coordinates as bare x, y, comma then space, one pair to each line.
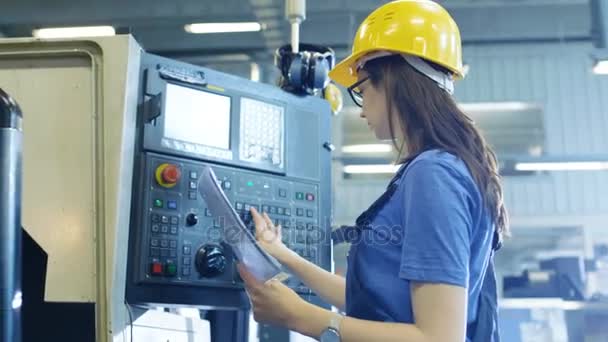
234, 232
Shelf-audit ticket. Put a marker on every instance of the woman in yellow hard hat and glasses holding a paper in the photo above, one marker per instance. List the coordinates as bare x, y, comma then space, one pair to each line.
421, 268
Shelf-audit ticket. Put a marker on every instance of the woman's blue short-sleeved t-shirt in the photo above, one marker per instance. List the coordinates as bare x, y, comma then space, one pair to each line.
434, 229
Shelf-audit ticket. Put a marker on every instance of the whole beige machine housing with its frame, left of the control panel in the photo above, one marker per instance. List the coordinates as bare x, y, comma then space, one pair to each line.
79, 100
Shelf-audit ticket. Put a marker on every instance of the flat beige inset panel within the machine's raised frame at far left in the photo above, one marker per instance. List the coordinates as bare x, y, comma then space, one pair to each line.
59, 165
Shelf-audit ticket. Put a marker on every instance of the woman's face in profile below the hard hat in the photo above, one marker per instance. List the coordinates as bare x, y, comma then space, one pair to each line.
375, 108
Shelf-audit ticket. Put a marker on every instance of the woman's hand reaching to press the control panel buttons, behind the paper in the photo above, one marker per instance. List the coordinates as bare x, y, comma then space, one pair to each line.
269, 237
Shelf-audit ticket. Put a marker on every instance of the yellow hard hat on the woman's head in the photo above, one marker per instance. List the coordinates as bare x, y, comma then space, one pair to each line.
420, 28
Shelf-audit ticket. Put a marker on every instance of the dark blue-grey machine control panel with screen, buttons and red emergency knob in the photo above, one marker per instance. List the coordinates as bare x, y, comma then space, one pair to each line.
267, 149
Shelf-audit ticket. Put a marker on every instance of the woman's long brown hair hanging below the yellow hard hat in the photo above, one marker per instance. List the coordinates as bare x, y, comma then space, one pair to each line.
430, 118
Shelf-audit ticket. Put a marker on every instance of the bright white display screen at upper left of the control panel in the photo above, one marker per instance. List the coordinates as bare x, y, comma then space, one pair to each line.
197, 117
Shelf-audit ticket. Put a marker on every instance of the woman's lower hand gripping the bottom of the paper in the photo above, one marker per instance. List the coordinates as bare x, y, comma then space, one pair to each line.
273, 302
